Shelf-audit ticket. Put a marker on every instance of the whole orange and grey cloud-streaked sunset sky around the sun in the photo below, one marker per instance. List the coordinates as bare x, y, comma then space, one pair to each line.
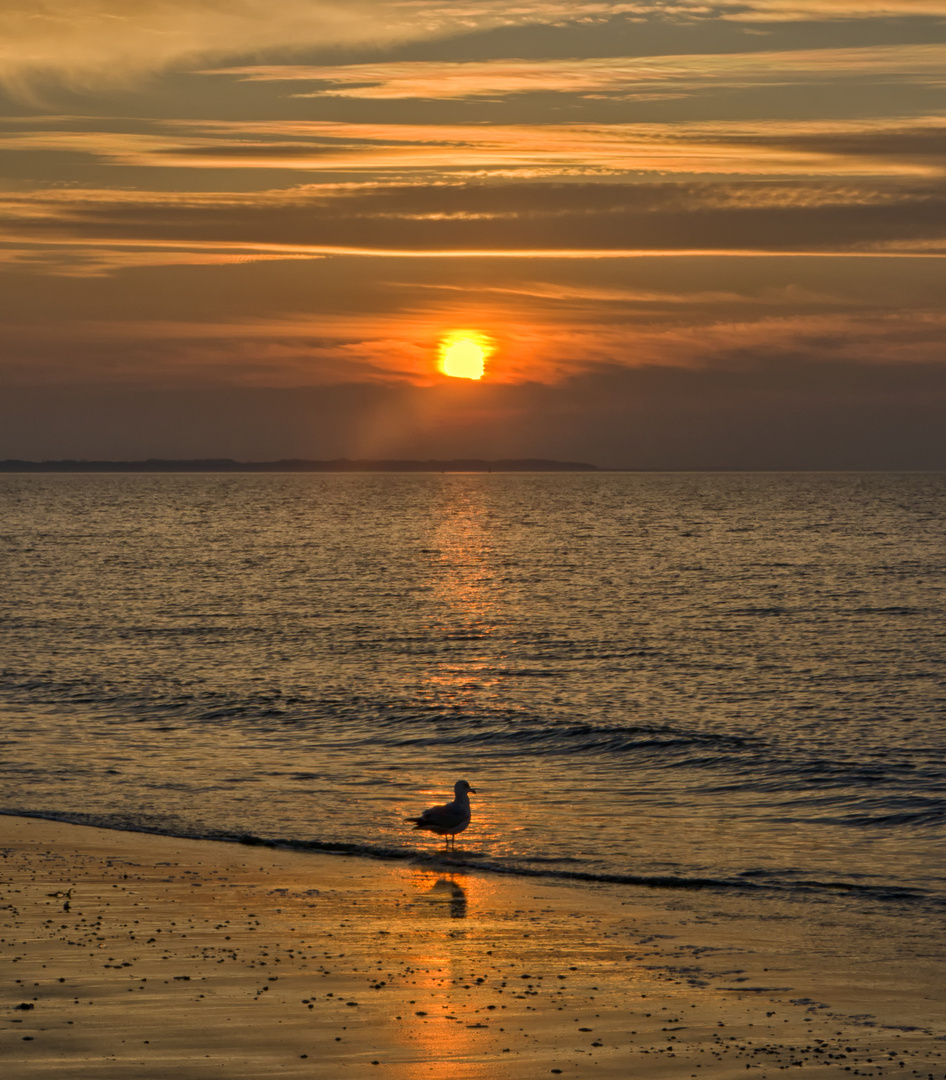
685, 234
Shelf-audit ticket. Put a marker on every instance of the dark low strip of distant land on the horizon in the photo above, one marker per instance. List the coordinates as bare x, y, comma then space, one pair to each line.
298, 465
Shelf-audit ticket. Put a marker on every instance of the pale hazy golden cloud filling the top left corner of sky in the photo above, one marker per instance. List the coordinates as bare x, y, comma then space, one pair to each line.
91, 44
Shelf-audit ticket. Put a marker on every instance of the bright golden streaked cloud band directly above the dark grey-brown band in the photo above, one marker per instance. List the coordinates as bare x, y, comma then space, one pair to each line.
894, 147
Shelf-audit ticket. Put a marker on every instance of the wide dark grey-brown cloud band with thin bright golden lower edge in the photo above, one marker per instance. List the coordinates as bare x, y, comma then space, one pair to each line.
465, 220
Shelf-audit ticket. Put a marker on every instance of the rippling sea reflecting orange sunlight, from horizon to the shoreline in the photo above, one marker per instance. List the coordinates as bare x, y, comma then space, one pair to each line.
733, 679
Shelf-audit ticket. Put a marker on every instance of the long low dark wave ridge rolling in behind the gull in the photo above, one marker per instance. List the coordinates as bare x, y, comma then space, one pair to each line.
780, 766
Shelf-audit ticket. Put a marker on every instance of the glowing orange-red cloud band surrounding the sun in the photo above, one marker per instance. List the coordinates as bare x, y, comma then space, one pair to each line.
321, 348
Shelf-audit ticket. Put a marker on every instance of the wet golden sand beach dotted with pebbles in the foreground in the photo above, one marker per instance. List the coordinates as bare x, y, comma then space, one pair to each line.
136, 956
